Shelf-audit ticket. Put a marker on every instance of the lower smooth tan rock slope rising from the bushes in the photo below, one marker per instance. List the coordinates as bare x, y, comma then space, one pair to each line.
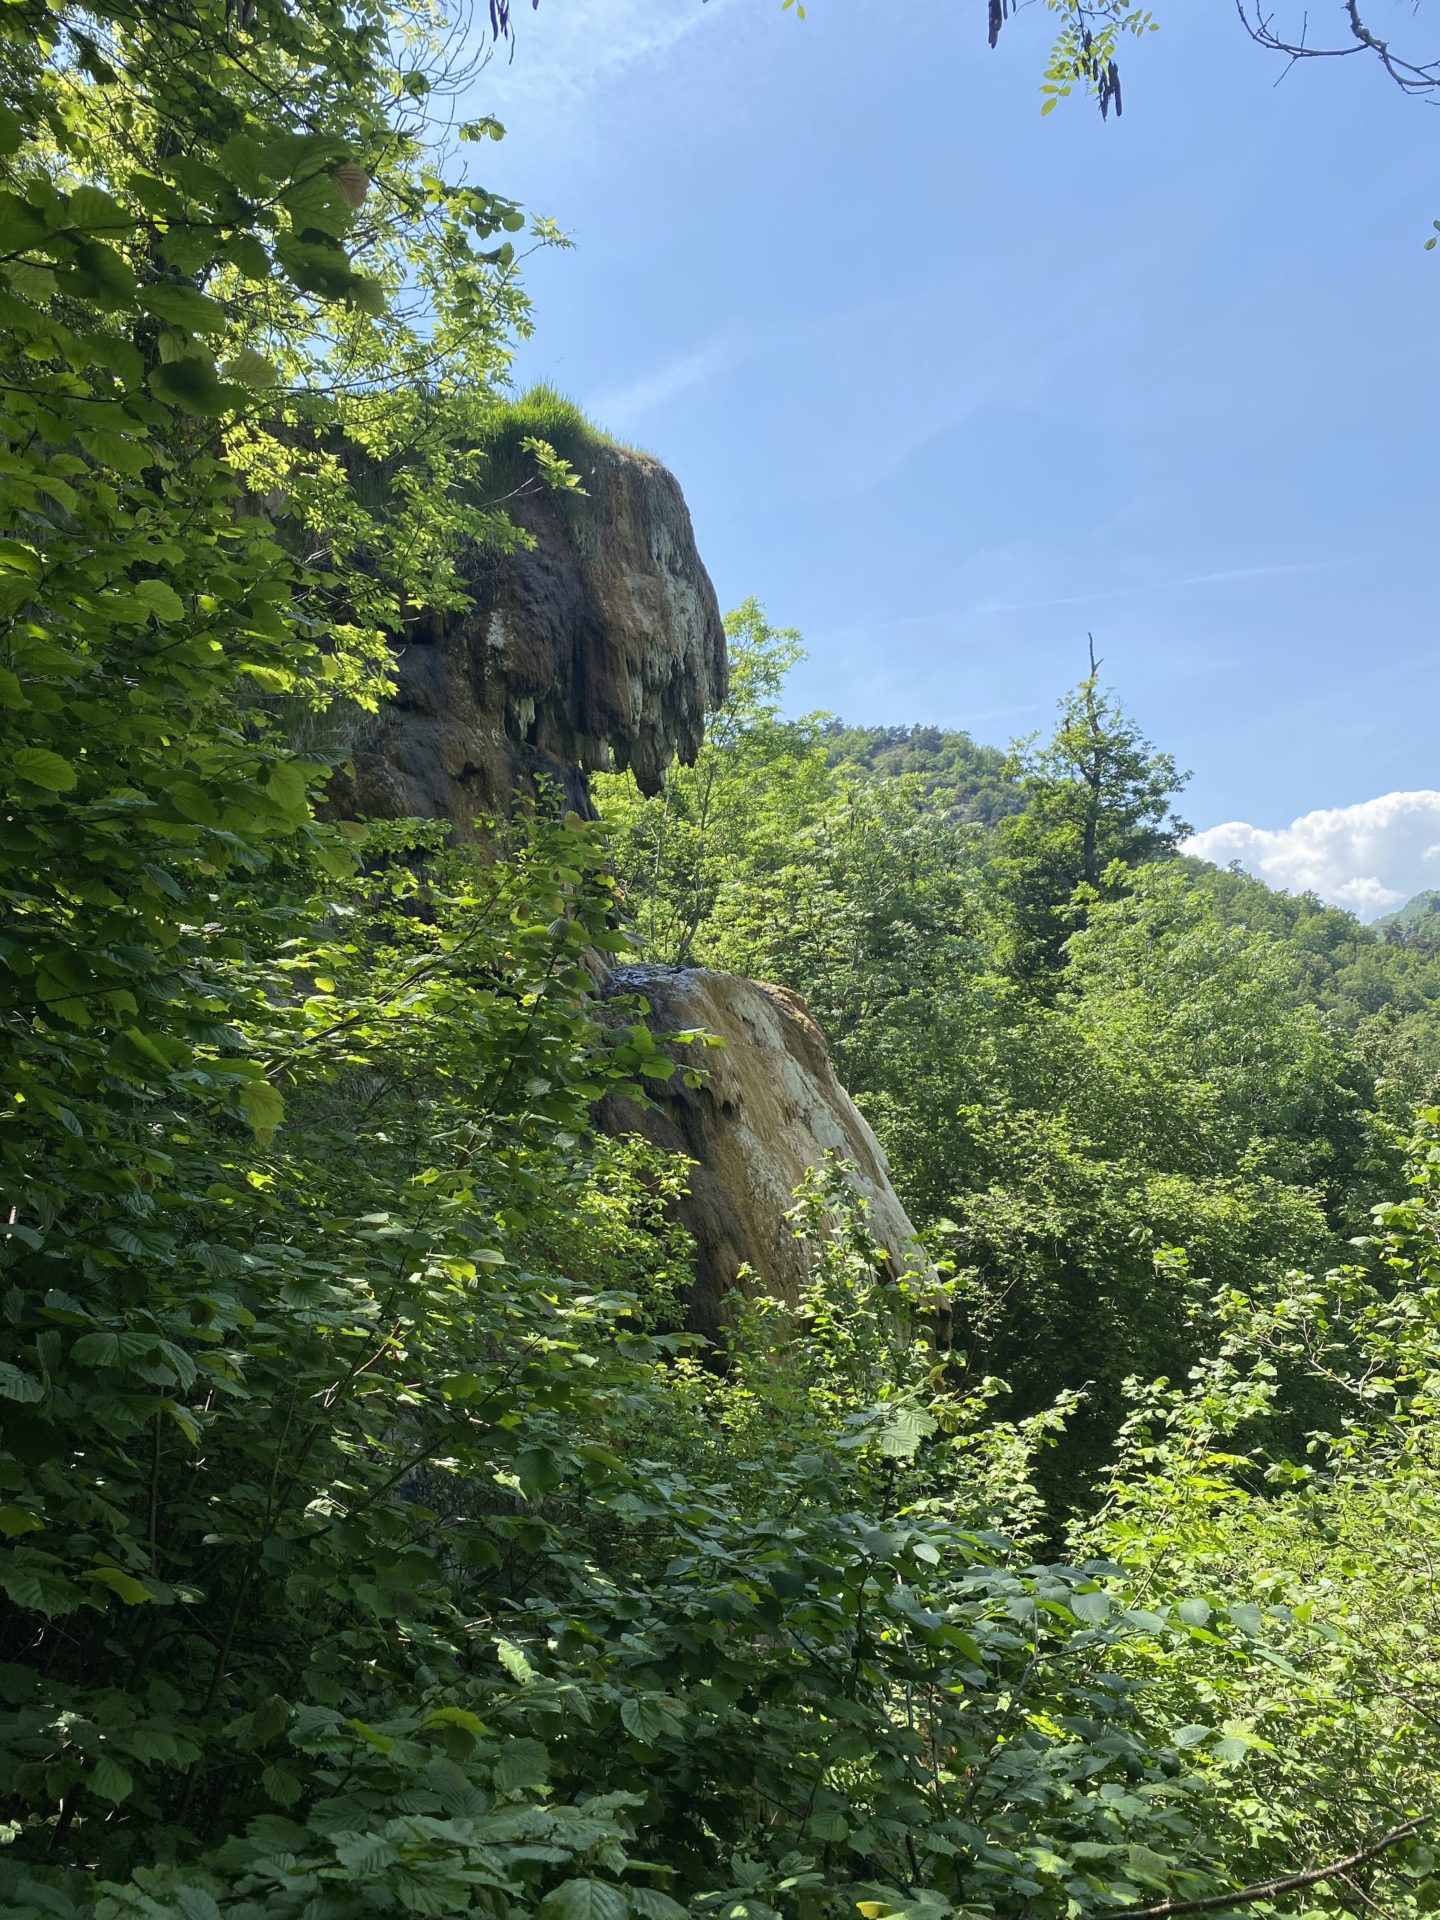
767, 1111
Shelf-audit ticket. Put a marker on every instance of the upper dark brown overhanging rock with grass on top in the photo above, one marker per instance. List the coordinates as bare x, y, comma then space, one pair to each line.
596, 648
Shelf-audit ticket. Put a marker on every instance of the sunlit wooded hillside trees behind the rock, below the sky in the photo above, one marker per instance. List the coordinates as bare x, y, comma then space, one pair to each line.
1099, 1068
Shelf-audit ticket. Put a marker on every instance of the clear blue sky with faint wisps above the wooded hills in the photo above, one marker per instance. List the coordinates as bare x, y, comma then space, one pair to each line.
949, 385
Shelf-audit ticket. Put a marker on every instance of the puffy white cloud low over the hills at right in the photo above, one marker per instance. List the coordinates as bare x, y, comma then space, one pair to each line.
1368, 857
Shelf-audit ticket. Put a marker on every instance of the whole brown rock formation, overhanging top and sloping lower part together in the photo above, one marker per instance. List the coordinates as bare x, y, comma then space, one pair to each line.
600, 646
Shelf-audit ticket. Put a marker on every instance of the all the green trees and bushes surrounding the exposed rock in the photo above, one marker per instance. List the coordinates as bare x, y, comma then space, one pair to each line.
373, 1541
